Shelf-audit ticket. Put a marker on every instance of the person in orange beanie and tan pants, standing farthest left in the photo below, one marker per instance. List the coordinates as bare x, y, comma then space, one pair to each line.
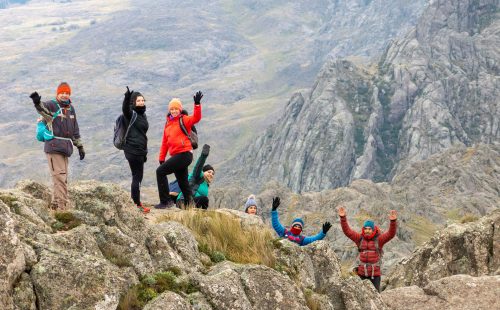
66, 132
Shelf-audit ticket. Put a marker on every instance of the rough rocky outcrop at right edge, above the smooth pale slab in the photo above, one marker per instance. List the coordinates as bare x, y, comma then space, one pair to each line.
459, 249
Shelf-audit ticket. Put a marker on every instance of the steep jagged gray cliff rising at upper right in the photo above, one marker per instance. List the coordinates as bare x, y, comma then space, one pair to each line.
434, 88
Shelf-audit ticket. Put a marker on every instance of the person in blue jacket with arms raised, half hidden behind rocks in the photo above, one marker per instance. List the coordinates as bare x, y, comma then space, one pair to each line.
294, 234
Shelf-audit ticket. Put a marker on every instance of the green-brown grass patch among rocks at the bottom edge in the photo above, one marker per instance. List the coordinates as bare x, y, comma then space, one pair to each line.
151, 286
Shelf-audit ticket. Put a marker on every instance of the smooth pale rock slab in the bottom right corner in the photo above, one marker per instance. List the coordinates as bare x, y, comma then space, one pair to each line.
455, 292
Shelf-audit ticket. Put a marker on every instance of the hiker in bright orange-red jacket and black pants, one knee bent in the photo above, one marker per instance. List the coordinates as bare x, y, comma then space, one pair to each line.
179, 147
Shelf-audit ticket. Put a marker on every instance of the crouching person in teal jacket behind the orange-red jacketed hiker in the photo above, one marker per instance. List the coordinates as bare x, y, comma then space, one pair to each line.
200, 180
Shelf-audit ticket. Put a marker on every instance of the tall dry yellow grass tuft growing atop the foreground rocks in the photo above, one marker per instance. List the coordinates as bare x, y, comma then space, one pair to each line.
219, 233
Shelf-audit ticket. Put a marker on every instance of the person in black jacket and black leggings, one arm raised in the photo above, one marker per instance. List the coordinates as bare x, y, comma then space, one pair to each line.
136, 144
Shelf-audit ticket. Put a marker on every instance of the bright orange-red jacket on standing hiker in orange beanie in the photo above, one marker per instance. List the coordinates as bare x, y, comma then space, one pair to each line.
174, 140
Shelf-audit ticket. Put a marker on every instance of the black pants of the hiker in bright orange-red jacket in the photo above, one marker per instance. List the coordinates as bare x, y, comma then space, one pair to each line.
178, 165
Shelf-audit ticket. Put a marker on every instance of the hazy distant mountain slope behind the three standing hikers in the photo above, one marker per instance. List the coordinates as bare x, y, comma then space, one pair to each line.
246, 55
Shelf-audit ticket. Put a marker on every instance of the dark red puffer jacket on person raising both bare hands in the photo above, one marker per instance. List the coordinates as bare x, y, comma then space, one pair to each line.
367, 249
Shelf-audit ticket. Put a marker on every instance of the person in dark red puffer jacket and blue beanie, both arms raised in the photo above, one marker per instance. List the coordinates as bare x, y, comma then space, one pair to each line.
370, 243
